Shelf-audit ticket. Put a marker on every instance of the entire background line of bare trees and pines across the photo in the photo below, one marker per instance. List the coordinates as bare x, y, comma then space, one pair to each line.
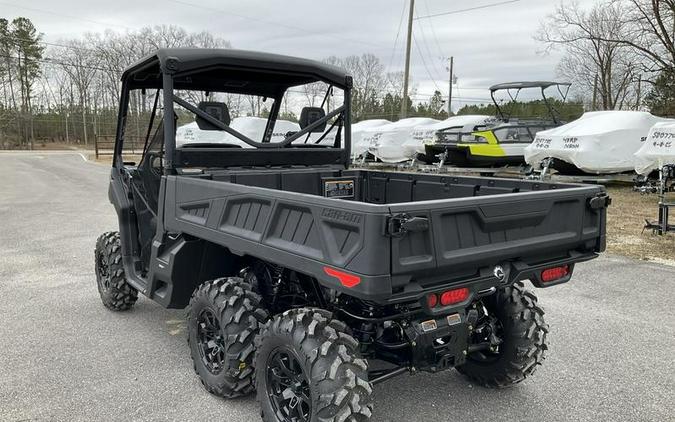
619, 54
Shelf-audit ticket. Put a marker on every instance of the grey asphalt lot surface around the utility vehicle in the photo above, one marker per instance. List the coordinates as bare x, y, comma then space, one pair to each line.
64, 357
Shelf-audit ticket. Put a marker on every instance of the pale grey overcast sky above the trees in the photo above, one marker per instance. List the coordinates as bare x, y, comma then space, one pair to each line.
490, 45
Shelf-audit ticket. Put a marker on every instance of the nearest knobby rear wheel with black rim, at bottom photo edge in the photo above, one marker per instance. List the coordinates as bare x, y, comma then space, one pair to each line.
306, 354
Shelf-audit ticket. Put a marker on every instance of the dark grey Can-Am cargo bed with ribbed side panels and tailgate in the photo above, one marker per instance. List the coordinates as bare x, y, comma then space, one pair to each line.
468, 224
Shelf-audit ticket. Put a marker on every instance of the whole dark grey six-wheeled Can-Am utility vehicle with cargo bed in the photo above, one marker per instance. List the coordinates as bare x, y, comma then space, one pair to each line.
310, 282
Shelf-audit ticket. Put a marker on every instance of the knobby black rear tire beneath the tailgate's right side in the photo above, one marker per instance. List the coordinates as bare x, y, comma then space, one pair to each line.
524, 340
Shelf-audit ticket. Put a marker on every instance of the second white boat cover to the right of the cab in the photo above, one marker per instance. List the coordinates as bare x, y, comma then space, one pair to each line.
386, 142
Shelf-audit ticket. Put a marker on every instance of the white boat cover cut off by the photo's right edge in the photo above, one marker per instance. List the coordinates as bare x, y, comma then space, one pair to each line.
658, 150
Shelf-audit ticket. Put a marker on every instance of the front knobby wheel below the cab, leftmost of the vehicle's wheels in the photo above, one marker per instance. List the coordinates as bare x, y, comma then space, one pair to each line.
116, 293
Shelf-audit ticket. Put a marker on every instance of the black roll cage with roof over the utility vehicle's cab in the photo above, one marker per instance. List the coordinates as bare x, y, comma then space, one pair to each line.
237, 72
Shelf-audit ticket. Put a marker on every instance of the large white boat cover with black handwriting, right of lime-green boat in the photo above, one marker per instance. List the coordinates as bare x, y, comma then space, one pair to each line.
598, 142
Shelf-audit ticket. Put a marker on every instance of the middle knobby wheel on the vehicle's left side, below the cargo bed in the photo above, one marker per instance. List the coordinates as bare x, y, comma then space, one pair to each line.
223, 318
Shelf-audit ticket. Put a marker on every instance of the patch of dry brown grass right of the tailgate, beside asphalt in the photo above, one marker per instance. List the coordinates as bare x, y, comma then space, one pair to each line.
625, 220
